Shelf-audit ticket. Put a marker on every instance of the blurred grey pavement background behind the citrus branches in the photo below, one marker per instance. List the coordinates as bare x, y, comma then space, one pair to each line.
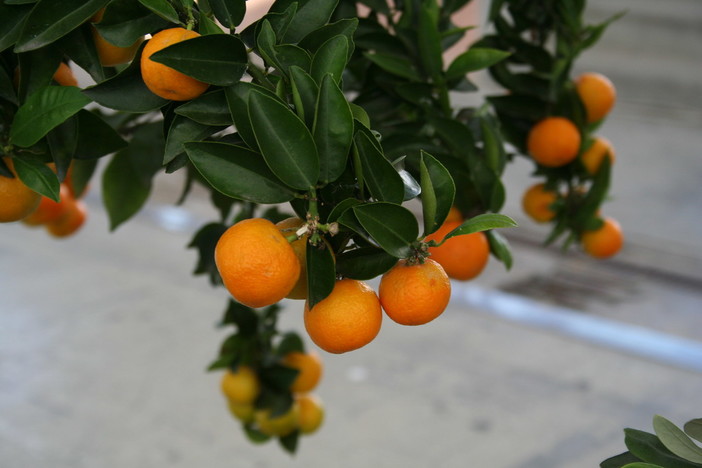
105, 337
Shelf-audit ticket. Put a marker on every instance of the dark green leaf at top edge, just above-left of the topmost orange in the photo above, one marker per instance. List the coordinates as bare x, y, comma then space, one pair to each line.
126, 21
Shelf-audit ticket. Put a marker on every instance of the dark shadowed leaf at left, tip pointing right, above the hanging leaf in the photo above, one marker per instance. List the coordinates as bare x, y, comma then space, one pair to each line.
96, 138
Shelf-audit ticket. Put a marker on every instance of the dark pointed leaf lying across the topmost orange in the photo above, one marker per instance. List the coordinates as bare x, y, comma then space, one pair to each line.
218, 59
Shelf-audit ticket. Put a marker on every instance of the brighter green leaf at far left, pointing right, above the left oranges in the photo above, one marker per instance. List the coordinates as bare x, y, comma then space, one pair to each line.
44, 110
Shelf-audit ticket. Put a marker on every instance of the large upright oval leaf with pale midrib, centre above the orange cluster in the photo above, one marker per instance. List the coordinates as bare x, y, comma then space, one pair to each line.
285, 142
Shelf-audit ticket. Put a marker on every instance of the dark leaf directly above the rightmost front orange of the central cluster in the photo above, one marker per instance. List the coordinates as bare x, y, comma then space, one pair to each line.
392, 226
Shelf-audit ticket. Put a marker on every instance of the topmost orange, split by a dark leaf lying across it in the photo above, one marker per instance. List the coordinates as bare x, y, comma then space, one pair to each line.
165, 81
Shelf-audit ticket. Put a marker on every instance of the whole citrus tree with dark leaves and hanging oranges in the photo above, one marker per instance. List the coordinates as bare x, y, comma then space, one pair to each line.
330, 144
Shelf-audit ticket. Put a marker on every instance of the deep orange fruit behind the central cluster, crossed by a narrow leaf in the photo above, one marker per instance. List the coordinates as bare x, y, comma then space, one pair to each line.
462, 257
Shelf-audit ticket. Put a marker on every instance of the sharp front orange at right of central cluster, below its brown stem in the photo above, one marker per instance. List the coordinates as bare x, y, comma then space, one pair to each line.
414, 294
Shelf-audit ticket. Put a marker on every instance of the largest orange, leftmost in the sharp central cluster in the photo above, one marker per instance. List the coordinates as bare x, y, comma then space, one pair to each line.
257, 264
